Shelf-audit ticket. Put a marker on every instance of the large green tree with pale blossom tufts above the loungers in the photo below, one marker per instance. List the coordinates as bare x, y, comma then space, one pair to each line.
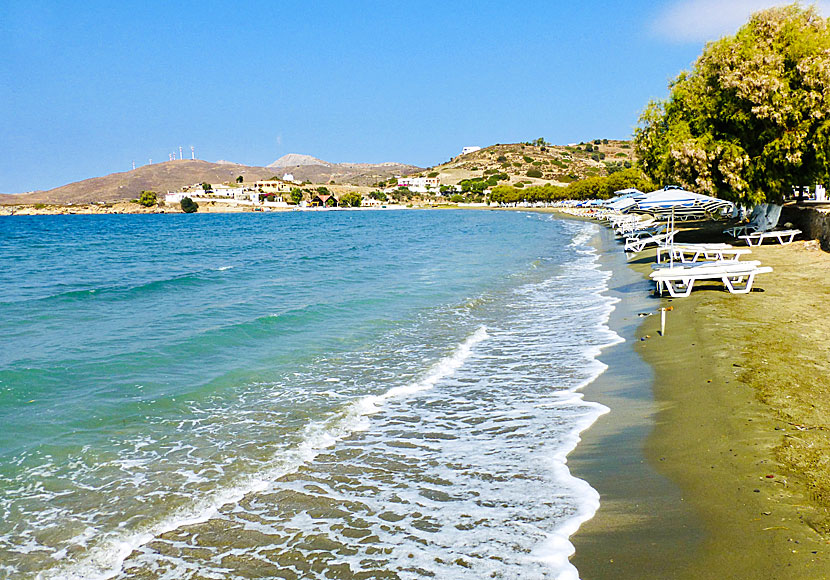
752, 117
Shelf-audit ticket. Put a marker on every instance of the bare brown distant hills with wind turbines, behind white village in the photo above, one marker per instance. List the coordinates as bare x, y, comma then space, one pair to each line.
173, 175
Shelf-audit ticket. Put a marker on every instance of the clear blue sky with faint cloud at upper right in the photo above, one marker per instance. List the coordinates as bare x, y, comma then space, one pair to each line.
88, 89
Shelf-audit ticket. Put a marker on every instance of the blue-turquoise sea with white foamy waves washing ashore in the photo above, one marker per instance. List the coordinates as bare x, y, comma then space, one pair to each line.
297, 395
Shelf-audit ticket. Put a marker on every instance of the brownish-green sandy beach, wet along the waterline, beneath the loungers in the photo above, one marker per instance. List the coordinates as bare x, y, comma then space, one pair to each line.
715, 459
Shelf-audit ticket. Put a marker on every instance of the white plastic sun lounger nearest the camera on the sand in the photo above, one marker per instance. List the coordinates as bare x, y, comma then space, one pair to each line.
736, 276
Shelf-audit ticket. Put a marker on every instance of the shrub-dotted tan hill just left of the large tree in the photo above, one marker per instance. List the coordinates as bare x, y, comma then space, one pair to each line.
557, 164
